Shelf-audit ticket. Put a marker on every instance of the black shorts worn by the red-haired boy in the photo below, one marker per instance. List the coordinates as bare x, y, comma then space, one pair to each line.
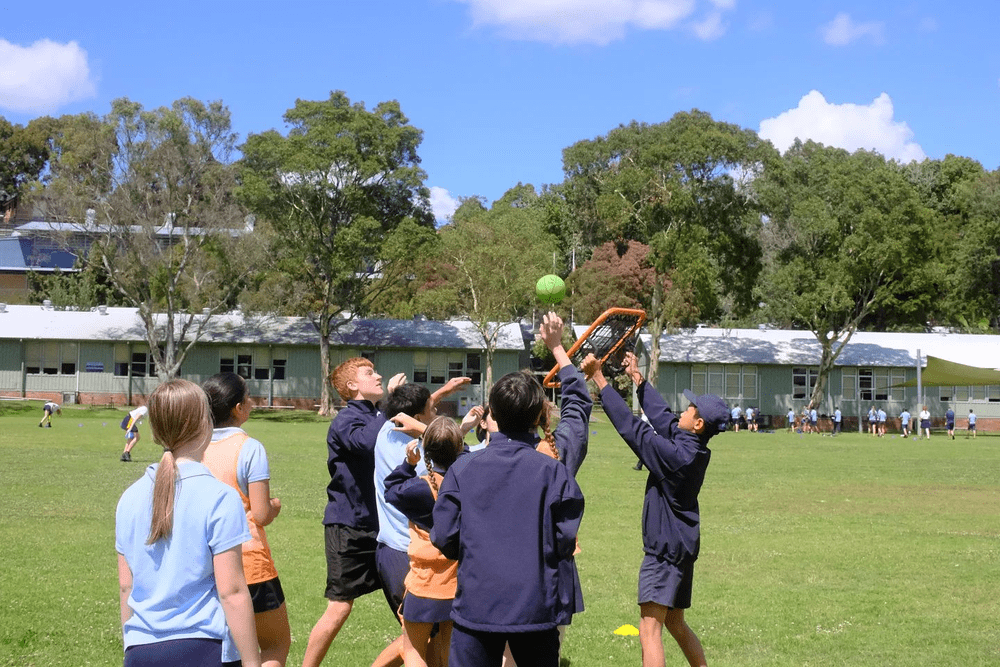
350, 562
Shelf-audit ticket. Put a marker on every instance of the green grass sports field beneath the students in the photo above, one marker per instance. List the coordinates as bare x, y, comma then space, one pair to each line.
815, 550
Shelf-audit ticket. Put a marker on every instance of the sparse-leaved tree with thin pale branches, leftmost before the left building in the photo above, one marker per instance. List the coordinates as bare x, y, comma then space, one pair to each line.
153, 194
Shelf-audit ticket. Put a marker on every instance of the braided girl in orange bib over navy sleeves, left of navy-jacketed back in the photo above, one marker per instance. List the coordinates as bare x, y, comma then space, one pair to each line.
432, 581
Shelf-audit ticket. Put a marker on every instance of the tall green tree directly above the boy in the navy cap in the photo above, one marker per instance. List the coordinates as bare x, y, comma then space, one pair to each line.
684, 188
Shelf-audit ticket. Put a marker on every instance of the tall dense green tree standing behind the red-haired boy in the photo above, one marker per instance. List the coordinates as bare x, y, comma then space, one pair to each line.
342, 194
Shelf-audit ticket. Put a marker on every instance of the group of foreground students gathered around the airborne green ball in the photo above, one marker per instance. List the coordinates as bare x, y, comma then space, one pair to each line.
473, 551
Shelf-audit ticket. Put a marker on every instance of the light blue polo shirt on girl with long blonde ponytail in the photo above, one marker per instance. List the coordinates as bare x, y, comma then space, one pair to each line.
173, 580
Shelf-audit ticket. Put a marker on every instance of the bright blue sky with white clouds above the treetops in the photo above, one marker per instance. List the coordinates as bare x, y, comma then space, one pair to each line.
501, 87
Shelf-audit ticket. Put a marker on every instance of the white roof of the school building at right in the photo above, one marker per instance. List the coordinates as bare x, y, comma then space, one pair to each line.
786, 347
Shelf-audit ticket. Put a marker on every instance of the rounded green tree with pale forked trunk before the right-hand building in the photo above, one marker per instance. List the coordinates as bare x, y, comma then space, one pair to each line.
846, 233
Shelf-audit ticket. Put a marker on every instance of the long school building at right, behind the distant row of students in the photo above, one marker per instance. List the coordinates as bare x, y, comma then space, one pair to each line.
776, 370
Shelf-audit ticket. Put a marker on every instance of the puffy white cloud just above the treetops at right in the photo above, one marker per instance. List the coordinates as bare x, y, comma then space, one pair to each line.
847, 126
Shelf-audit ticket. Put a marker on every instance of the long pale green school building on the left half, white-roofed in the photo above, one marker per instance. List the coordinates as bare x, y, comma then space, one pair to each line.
101, 357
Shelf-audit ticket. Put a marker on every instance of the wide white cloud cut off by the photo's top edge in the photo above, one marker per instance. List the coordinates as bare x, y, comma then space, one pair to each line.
593, 21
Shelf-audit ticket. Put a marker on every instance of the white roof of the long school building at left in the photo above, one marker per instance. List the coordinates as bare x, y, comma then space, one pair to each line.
124, 324
